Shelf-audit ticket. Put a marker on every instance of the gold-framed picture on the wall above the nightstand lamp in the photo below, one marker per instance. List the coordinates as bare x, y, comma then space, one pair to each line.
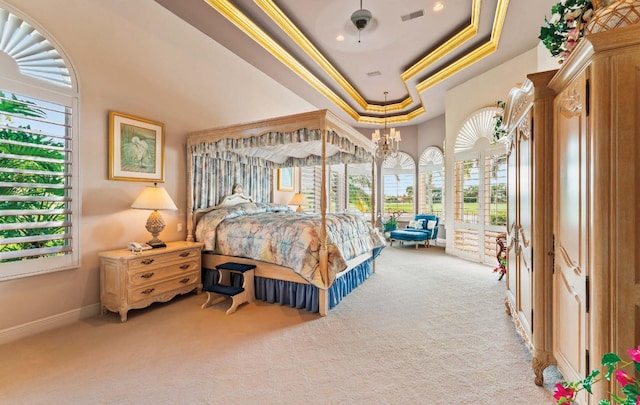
136, 148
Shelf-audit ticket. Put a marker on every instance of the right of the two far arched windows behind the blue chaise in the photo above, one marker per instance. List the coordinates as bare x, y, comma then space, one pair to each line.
431, 182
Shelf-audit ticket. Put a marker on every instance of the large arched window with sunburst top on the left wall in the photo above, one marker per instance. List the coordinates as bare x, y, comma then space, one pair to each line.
39, 201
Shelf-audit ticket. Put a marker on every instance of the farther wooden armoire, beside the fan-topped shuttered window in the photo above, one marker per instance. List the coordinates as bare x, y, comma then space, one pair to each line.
530, 214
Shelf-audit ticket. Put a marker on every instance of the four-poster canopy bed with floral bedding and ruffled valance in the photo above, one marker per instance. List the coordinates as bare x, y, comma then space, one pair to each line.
337, 250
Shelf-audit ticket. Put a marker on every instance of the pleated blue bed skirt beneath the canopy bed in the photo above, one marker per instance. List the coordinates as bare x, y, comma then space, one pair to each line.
306, 296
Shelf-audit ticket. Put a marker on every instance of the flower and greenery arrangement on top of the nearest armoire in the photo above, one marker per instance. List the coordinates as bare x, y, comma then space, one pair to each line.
561, 33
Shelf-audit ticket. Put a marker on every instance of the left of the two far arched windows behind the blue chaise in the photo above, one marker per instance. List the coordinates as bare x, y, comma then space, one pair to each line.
398, 184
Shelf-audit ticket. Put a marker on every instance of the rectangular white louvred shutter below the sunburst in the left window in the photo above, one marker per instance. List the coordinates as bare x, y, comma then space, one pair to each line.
35, 178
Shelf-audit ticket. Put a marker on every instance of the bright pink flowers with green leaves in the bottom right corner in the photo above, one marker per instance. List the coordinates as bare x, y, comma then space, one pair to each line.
566, 392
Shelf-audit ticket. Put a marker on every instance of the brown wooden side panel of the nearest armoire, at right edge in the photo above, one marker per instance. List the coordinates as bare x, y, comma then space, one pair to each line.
625, 195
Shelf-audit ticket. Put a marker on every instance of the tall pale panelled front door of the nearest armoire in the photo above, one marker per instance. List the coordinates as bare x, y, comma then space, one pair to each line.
570, 230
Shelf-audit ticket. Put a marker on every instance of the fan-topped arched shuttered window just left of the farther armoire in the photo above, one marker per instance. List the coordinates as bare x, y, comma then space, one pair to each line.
480, 177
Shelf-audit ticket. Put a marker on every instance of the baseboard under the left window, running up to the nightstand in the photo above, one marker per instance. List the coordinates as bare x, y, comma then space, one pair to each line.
48, 323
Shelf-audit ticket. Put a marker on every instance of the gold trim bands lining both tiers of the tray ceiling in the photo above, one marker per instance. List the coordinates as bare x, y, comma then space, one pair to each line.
245, 24
